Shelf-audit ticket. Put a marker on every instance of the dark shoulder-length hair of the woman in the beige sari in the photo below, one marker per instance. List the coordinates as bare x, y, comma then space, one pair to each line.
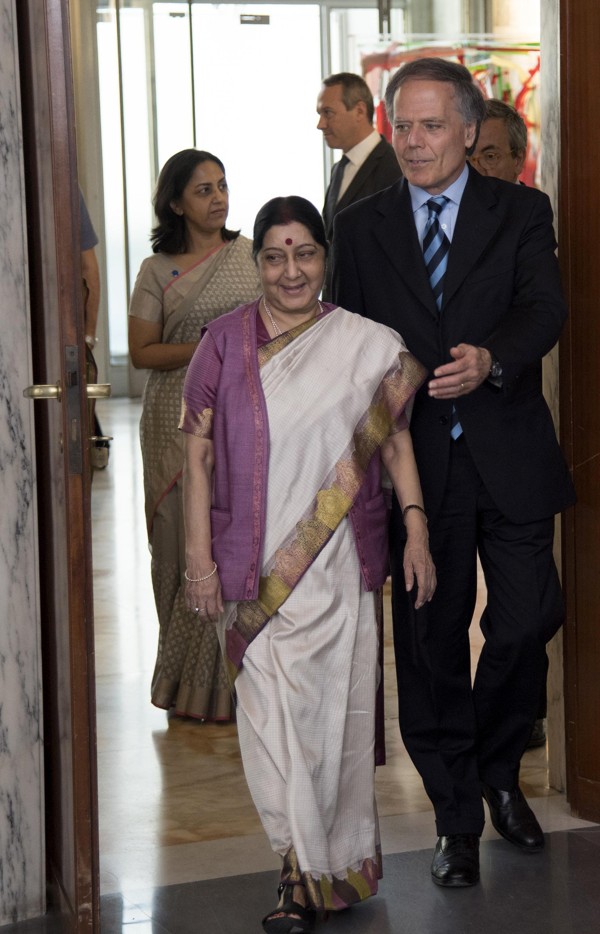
169, 235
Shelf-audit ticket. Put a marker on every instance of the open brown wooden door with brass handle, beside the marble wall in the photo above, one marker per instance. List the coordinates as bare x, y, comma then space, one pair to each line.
62, 461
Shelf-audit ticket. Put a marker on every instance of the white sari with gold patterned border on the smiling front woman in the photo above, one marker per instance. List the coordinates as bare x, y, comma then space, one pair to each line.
307, 685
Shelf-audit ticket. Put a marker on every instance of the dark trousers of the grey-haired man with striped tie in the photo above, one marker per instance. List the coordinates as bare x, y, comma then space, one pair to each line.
458, 732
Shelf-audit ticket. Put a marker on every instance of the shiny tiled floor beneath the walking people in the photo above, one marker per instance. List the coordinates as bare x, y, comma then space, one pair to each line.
182, 850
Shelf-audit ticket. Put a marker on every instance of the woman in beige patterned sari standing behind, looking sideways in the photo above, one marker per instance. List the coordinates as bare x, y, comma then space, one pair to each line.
198, 271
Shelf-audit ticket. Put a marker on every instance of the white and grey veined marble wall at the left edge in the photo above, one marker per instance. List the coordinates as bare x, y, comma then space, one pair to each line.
22, 857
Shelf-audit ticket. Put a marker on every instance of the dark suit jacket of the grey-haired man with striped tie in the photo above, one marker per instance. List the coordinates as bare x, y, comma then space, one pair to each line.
501, 291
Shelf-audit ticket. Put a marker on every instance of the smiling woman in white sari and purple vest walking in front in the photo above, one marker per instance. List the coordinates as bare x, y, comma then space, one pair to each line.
290, 406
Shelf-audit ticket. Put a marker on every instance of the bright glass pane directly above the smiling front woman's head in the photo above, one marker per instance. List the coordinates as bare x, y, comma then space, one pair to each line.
257, 71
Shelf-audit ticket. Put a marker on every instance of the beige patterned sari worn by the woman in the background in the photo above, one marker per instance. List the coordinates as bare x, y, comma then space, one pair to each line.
189, 675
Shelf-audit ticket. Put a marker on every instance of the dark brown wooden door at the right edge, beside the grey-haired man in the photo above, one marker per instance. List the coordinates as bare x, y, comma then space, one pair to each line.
579, 236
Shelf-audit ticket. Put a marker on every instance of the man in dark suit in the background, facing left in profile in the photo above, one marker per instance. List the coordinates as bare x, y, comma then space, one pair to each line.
345, 108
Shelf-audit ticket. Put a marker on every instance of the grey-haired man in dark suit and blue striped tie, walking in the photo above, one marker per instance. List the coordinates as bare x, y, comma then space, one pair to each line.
480, 315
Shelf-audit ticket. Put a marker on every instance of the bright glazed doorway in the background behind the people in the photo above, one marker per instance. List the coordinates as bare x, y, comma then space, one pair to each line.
237, 79
